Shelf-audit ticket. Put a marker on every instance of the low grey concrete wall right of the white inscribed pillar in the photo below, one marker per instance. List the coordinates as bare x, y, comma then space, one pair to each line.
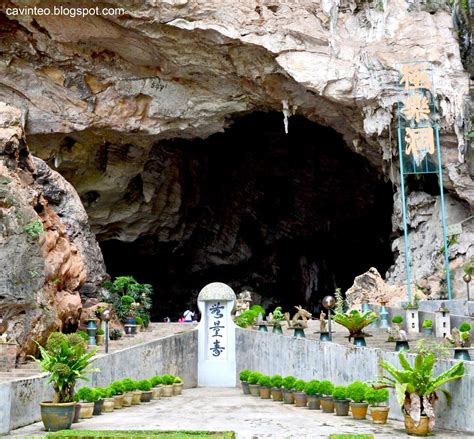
310, 359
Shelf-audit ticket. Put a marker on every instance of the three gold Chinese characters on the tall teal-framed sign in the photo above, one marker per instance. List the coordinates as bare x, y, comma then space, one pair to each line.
416, 111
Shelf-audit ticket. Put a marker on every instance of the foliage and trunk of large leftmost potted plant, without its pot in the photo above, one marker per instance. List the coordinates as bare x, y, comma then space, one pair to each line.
65, 359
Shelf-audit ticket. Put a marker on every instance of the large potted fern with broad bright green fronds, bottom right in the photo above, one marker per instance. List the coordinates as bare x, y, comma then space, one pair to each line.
415, 389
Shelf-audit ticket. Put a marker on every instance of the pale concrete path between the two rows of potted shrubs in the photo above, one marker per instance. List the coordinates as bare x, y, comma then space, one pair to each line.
225, 409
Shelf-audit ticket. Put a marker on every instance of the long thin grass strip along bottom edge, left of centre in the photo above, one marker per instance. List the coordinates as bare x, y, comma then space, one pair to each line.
141, 434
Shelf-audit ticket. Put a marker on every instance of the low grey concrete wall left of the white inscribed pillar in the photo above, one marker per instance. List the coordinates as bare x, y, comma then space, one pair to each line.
176, 354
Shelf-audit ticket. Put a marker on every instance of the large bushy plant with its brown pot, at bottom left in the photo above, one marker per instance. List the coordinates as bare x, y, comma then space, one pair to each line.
65, 359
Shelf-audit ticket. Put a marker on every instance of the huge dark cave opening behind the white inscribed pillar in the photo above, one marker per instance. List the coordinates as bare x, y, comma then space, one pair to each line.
288, 216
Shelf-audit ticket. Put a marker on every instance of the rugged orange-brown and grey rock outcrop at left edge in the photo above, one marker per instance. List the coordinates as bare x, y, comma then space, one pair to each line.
42, 269
